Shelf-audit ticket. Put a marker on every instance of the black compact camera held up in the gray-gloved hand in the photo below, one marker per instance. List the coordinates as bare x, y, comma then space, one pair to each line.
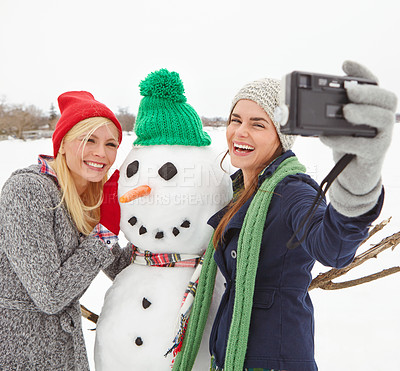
312, 105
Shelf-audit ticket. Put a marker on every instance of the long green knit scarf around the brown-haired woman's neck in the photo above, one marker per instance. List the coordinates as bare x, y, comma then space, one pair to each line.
248, 252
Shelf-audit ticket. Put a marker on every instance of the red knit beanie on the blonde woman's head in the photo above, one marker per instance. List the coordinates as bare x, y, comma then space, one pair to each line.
76, 106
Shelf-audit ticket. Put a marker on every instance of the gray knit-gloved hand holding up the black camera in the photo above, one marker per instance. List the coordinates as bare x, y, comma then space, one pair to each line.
357, 188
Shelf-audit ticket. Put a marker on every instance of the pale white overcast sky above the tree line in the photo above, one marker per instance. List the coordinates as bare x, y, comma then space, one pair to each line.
107, 47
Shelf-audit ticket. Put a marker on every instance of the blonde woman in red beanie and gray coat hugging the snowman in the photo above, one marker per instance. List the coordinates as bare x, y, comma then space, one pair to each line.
48, 252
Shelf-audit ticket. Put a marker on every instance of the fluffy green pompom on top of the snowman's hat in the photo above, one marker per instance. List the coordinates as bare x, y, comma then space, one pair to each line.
163, 84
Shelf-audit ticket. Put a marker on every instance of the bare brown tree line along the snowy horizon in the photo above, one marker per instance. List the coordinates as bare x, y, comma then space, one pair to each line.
16, 120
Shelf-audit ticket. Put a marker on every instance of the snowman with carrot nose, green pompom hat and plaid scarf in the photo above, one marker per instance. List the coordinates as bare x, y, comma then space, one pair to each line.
170, 184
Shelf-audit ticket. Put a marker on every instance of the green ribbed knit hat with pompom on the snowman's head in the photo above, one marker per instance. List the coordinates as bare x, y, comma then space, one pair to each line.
164, 117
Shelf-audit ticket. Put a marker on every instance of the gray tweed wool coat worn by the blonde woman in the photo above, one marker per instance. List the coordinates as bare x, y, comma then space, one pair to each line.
45, 267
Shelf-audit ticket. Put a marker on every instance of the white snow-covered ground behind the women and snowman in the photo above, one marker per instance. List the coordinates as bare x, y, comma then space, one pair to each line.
358, 328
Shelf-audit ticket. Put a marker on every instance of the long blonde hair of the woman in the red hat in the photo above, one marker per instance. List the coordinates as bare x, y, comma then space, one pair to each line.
84, 209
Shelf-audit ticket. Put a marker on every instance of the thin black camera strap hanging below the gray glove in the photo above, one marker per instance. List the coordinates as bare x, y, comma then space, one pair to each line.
323, 188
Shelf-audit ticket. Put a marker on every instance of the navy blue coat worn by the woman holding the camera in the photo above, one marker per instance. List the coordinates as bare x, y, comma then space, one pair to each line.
282, 322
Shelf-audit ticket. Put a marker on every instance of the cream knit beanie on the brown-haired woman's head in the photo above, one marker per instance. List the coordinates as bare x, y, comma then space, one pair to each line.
265, 93
